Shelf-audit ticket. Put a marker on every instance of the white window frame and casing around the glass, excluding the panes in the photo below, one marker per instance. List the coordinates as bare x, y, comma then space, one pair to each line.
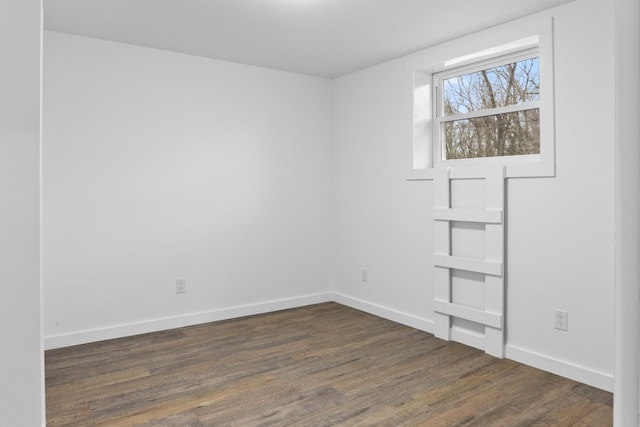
530, 37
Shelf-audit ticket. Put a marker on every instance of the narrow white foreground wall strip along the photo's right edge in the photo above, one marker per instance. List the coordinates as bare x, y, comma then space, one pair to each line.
627, 59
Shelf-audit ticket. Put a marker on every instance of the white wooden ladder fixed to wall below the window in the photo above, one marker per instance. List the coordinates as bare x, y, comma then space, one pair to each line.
492, 340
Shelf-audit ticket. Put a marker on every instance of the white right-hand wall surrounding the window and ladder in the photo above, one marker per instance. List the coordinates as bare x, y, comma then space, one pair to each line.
560, 242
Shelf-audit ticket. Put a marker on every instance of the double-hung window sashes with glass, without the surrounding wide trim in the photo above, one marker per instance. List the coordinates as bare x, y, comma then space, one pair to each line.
489, 109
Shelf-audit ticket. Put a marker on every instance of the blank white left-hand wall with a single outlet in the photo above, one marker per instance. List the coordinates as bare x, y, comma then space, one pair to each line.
160, 166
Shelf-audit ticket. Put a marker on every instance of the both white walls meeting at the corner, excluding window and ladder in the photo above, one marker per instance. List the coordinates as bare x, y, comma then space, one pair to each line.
159, 165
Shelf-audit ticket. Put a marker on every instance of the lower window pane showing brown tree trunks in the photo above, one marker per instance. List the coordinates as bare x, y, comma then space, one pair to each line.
509, 134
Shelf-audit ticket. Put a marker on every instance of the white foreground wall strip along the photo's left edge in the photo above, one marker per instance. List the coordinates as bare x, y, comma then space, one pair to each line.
21, 370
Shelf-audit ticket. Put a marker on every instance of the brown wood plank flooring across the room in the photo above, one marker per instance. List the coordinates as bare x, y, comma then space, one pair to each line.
322, 365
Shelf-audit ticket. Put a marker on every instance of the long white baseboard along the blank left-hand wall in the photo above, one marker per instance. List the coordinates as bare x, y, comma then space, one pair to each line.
119, 331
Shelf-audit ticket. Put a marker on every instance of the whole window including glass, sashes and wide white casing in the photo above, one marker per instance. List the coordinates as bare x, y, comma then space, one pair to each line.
486, 99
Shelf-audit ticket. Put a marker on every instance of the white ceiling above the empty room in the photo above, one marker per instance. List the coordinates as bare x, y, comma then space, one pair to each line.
325, 38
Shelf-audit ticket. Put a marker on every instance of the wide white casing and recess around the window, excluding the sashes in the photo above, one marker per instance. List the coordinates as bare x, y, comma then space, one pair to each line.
422, 65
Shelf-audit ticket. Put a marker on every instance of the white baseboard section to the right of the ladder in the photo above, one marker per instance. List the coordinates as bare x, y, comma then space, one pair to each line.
563, 368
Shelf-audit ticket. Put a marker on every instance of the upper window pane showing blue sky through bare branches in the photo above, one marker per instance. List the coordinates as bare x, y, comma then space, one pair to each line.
508, 84
